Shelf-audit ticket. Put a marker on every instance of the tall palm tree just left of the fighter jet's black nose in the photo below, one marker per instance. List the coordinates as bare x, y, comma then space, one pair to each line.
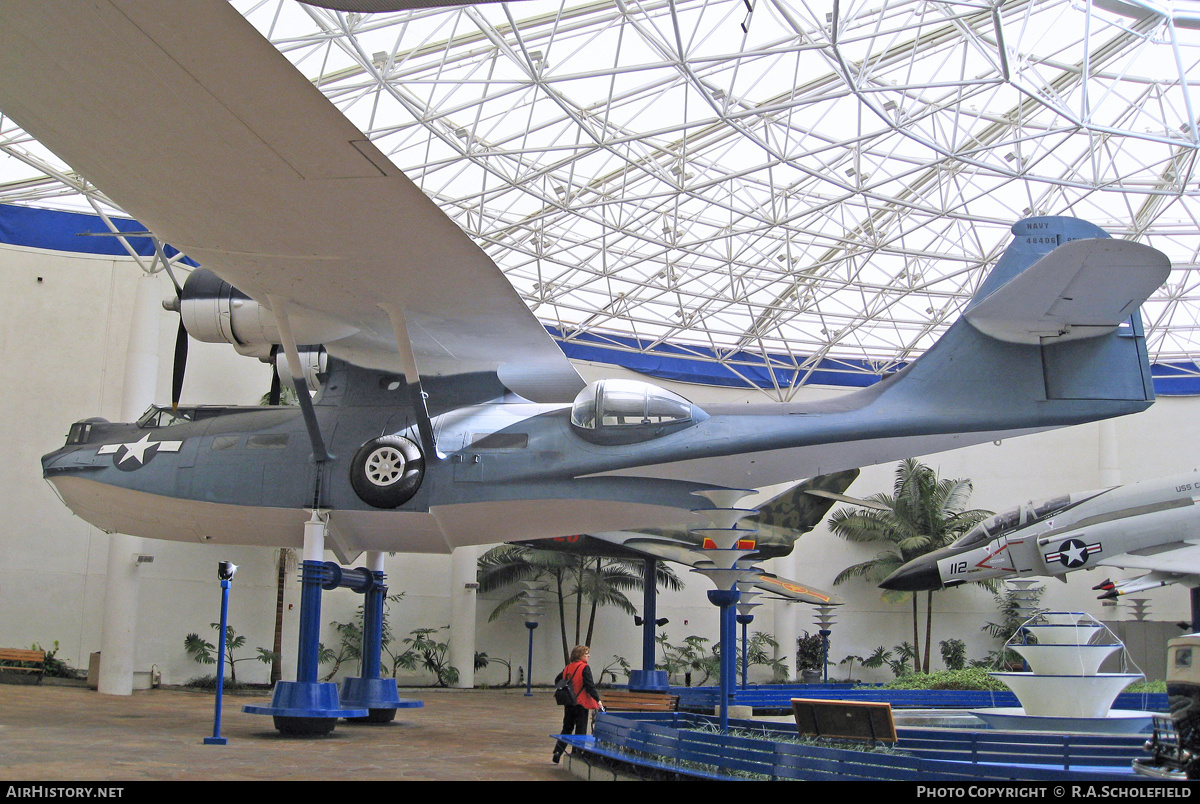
923, 514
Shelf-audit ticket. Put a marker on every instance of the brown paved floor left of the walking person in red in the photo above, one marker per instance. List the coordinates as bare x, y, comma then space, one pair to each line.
71, 734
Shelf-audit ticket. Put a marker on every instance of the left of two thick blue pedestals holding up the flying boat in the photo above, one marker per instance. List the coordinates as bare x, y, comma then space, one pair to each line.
308, 707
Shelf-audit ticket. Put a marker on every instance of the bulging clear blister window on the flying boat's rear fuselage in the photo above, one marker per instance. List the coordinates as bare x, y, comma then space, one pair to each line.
640, 410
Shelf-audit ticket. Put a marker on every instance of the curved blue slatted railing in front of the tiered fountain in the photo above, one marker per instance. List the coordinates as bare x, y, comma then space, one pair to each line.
688, 746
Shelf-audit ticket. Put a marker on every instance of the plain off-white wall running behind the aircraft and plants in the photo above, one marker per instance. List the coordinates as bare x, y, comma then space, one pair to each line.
64, 333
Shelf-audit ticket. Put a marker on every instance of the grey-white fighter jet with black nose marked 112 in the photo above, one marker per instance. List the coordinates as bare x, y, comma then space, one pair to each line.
1153, 526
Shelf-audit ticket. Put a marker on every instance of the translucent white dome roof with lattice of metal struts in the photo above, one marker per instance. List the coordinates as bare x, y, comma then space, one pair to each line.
759, 184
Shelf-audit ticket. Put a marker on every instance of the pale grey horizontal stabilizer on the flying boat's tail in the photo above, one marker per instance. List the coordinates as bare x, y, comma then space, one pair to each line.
1083, 289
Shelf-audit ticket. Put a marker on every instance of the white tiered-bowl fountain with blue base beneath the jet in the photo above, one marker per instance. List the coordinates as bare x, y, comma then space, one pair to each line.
1065, 691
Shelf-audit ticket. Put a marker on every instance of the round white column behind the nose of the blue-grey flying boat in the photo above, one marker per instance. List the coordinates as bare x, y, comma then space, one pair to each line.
118, 641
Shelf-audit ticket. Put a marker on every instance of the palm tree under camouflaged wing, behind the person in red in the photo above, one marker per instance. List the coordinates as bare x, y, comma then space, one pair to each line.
589, 580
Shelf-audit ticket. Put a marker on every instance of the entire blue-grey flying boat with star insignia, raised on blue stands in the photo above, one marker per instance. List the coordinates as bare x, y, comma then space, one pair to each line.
447, 415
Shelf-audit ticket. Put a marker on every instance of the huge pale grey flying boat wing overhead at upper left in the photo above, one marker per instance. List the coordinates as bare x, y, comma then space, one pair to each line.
196, 125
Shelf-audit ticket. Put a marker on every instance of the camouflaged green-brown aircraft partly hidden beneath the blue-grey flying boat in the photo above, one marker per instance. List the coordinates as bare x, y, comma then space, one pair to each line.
772, 531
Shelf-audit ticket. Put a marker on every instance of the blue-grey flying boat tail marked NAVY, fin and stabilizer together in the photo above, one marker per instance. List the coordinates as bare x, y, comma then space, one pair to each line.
1053, 338
